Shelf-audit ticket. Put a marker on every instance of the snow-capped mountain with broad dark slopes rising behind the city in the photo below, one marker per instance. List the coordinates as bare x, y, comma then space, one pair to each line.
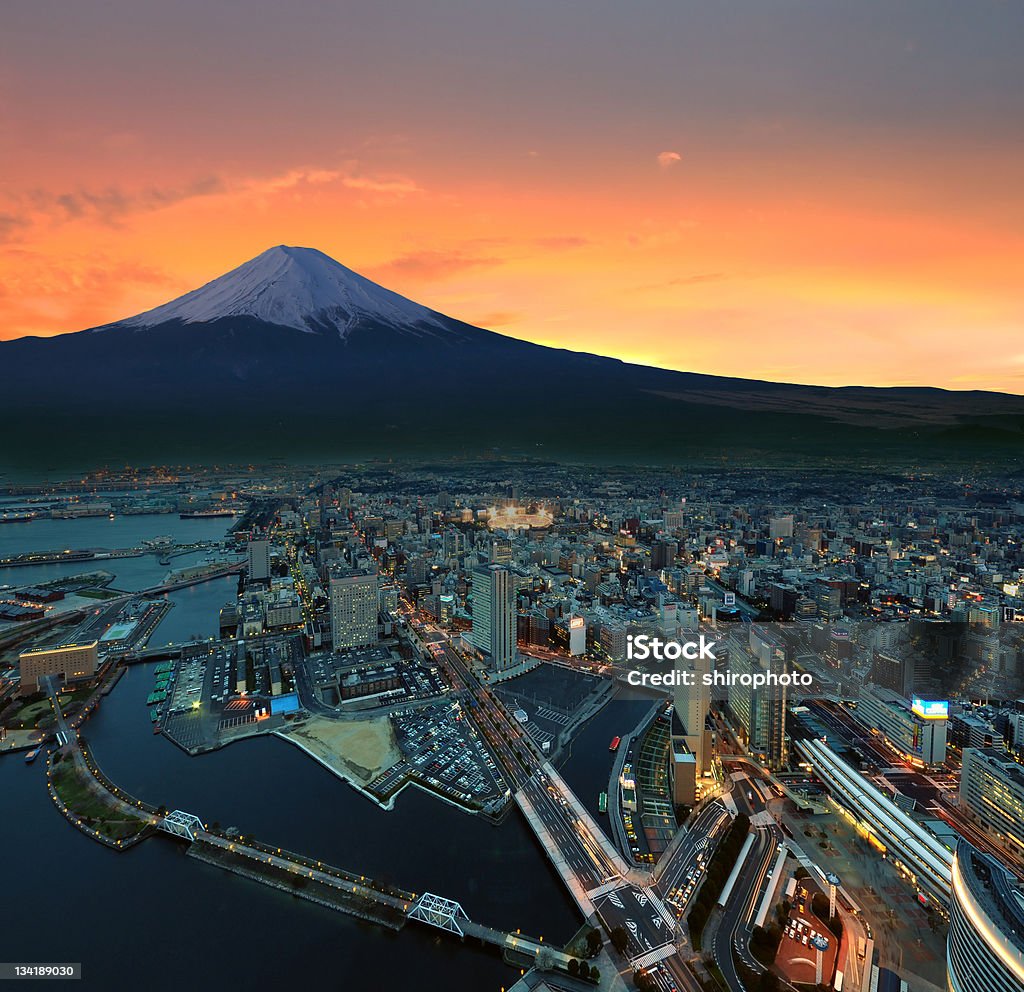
294, 356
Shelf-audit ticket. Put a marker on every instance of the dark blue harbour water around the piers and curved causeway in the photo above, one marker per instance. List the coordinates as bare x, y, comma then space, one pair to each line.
117, 902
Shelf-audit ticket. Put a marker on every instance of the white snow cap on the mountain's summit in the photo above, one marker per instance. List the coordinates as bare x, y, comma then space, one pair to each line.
298, 288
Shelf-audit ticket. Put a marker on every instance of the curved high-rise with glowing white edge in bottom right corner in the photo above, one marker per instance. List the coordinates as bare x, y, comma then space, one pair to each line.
986, 947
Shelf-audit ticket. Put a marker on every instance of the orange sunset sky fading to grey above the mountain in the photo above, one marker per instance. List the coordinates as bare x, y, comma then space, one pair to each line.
812, 192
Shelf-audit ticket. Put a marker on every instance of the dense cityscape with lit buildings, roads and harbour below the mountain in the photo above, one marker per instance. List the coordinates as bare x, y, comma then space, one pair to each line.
822, 790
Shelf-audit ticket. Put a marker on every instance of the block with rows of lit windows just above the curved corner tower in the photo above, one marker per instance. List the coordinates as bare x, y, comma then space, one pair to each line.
993, 791
